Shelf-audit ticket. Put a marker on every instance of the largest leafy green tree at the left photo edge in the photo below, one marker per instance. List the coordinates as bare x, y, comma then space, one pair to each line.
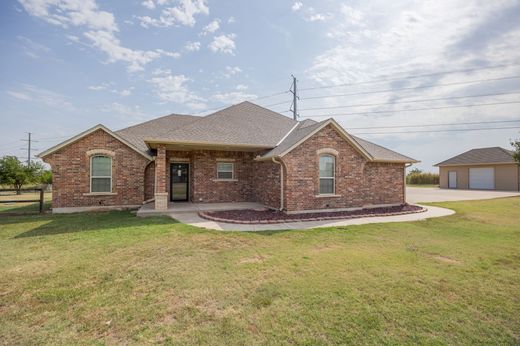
14, 173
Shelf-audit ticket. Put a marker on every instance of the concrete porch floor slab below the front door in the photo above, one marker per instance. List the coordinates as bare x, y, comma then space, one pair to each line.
189, 207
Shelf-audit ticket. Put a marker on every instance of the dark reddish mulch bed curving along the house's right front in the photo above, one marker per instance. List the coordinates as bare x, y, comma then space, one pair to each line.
251, 216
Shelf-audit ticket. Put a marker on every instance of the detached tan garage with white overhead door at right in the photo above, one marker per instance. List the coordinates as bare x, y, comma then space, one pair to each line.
481, 169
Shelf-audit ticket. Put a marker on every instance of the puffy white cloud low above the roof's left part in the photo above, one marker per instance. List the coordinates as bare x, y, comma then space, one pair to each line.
173, 88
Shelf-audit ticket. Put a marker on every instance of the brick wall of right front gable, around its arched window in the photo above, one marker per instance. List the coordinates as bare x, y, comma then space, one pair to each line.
358, 182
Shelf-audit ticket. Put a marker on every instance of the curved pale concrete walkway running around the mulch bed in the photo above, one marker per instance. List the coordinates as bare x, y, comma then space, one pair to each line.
193, 219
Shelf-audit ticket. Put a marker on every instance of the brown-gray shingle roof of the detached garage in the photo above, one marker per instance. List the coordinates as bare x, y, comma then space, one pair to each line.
480, 156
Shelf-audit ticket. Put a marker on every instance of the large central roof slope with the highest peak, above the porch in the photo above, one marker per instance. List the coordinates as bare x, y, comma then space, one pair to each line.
244, 123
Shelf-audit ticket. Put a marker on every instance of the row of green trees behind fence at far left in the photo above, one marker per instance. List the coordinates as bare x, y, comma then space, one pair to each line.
17, 175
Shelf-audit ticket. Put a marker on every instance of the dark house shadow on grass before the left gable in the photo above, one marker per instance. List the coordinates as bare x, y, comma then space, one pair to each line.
84, 222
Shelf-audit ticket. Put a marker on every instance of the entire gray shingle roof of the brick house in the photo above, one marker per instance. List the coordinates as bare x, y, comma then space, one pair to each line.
244, 123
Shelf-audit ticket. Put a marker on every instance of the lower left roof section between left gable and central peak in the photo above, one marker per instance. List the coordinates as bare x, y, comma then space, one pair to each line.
137, 133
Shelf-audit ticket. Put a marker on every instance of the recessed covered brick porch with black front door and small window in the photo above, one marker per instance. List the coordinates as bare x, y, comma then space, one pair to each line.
193, 178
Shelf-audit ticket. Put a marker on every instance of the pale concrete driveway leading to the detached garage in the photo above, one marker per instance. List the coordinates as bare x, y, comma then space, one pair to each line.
425, 194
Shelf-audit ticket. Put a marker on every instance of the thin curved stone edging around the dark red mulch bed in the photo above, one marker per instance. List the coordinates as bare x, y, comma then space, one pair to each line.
204, 215
